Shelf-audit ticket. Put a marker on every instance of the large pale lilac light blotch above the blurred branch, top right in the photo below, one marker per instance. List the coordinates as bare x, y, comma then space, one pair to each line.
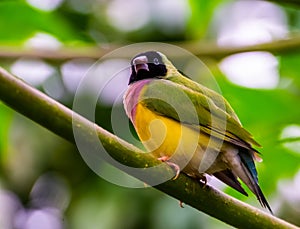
263, 23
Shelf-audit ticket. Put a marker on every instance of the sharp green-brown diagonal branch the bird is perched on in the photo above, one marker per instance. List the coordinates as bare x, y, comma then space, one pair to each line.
58, 119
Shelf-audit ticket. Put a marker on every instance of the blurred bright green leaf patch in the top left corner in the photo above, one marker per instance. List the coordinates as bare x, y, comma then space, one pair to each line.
19, 21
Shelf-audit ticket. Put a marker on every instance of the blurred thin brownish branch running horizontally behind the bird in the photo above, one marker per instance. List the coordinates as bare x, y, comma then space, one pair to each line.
200, 49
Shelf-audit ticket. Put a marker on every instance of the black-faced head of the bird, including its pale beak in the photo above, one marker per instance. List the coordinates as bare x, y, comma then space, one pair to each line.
147, 65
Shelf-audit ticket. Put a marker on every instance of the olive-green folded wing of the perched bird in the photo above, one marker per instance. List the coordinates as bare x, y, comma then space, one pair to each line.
190, 103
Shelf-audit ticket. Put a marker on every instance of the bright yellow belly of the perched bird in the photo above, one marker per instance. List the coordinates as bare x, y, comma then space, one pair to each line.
166, 137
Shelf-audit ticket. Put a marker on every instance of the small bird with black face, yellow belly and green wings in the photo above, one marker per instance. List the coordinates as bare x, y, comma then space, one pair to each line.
188, 125
